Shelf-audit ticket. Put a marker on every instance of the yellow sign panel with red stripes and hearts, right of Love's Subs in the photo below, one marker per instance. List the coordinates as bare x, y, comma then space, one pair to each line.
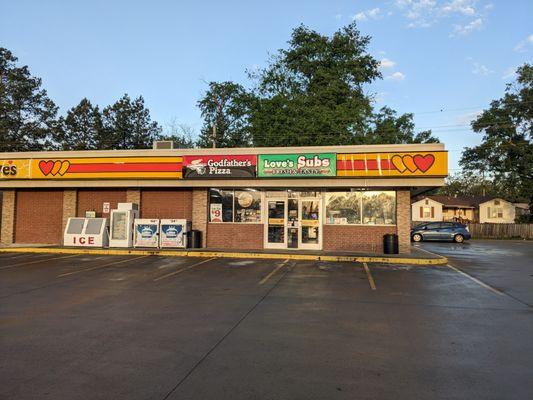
393, 164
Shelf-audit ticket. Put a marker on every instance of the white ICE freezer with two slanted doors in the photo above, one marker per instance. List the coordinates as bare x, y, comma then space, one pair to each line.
86, 232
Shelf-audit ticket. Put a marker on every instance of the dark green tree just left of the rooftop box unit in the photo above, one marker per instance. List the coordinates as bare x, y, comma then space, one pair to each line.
127, 125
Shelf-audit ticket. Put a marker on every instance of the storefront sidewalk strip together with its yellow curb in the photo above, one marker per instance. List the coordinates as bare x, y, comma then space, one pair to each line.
417, 256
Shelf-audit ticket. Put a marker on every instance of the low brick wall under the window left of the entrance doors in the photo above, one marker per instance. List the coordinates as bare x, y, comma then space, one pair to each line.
234, 236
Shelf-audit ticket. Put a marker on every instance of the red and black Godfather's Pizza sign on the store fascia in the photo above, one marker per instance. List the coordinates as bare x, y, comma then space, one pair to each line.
220, 166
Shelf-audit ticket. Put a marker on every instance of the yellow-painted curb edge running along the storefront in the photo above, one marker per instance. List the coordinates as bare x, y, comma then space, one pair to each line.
220, 254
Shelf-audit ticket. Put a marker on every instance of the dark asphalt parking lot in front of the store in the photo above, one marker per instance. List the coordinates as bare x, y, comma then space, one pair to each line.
149, 327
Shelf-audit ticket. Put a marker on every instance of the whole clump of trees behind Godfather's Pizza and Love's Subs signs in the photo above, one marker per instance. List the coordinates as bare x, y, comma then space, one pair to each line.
311, 93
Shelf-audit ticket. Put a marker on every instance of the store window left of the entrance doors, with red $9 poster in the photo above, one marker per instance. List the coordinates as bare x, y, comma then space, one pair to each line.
240, 205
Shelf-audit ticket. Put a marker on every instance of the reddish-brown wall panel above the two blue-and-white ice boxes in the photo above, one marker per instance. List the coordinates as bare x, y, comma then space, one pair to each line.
171, 203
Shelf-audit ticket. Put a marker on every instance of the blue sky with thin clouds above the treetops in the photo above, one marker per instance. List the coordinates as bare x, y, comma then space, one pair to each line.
442, 60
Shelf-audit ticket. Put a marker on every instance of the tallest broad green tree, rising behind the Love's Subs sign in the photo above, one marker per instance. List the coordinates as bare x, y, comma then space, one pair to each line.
312, 93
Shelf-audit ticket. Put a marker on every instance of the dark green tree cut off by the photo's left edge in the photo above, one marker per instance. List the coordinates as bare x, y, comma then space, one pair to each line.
27, 116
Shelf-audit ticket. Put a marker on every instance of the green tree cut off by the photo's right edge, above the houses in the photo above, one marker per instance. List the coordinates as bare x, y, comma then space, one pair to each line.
506, 151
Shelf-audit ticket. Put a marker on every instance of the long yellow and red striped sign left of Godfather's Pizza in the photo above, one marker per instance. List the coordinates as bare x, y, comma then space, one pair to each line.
92, 168
